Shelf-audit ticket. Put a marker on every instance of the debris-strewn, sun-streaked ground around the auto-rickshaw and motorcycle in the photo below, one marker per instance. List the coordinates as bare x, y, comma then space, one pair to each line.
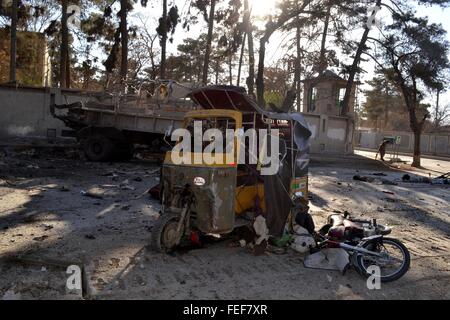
47, 224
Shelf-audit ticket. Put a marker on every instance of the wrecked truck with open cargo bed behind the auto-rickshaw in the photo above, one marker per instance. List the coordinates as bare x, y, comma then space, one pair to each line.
110, 126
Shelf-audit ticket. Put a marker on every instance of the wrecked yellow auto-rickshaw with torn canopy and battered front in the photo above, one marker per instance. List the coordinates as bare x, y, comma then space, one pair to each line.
200, 196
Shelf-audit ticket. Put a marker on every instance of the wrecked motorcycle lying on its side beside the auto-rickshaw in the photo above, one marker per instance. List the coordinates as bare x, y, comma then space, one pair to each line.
365, 242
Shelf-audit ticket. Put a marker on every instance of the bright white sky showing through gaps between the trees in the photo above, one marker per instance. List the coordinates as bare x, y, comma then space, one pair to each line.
261, 8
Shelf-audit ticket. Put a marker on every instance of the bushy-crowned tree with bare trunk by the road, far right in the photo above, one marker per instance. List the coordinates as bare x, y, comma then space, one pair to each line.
414, 56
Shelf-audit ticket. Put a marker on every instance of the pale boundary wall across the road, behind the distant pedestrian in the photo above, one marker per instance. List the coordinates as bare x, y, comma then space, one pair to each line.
432, 144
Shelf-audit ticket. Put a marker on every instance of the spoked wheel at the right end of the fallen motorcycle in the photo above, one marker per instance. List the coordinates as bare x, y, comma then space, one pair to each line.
393, 251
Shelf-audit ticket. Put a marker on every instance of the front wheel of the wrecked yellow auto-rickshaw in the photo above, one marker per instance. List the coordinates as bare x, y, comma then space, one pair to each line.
165, 237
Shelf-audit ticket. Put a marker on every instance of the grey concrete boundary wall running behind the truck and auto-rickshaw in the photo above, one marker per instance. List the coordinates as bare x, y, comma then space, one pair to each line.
25, 112
